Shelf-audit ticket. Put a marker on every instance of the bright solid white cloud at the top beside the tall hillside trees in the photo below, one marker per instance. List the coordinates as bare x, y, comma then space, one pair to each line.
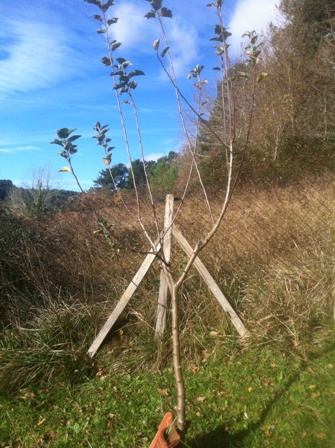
250, 15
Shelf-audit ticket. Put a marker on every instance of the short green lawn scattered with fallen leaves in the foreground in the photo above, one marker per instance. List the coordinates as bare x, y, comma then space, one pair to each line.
254, 398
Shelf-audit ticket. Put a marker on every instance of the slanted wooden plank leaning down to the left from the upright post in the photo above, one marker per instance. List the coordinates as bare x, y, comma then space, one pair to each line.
123, 302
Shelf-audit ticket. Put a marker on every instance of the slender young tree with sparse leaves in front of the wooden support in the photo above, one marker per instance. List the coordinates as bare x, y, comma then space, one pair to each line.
123, 77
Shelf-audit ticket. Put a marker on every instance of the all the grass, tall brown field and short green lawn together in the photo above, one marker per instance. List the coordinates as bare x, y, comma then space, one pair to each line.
275, 389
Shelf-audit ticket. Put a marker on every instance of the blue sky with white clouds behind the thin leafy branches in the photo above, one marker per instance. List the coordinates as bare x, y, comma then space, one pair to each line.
51, 76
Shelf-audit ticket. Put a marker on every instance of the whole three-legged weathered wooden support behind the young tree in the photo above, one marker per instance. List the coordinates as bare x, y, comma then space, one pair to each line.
169, 230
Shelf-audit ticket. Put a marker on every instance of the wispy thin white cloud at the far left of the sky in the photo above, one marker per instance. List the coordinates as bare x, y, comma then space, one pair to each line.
36, 55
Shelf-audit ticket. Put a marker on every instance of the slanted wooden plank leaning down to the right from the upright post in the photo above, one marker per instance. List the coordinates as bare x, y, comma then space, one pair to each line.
236, 321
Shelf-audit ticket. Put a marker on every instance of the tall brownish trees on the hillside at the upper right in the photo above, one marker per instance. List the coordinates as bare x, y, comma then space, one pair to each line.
293, 125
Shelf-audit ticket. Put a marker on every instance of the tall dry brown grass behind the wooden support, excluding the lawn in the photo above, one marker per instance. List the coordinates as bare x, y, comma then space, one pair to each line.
273, 257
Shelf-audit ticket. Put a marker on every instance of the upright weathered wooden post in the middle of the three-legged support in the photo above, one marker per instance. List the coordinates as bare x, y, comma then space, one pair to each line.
163, 285
